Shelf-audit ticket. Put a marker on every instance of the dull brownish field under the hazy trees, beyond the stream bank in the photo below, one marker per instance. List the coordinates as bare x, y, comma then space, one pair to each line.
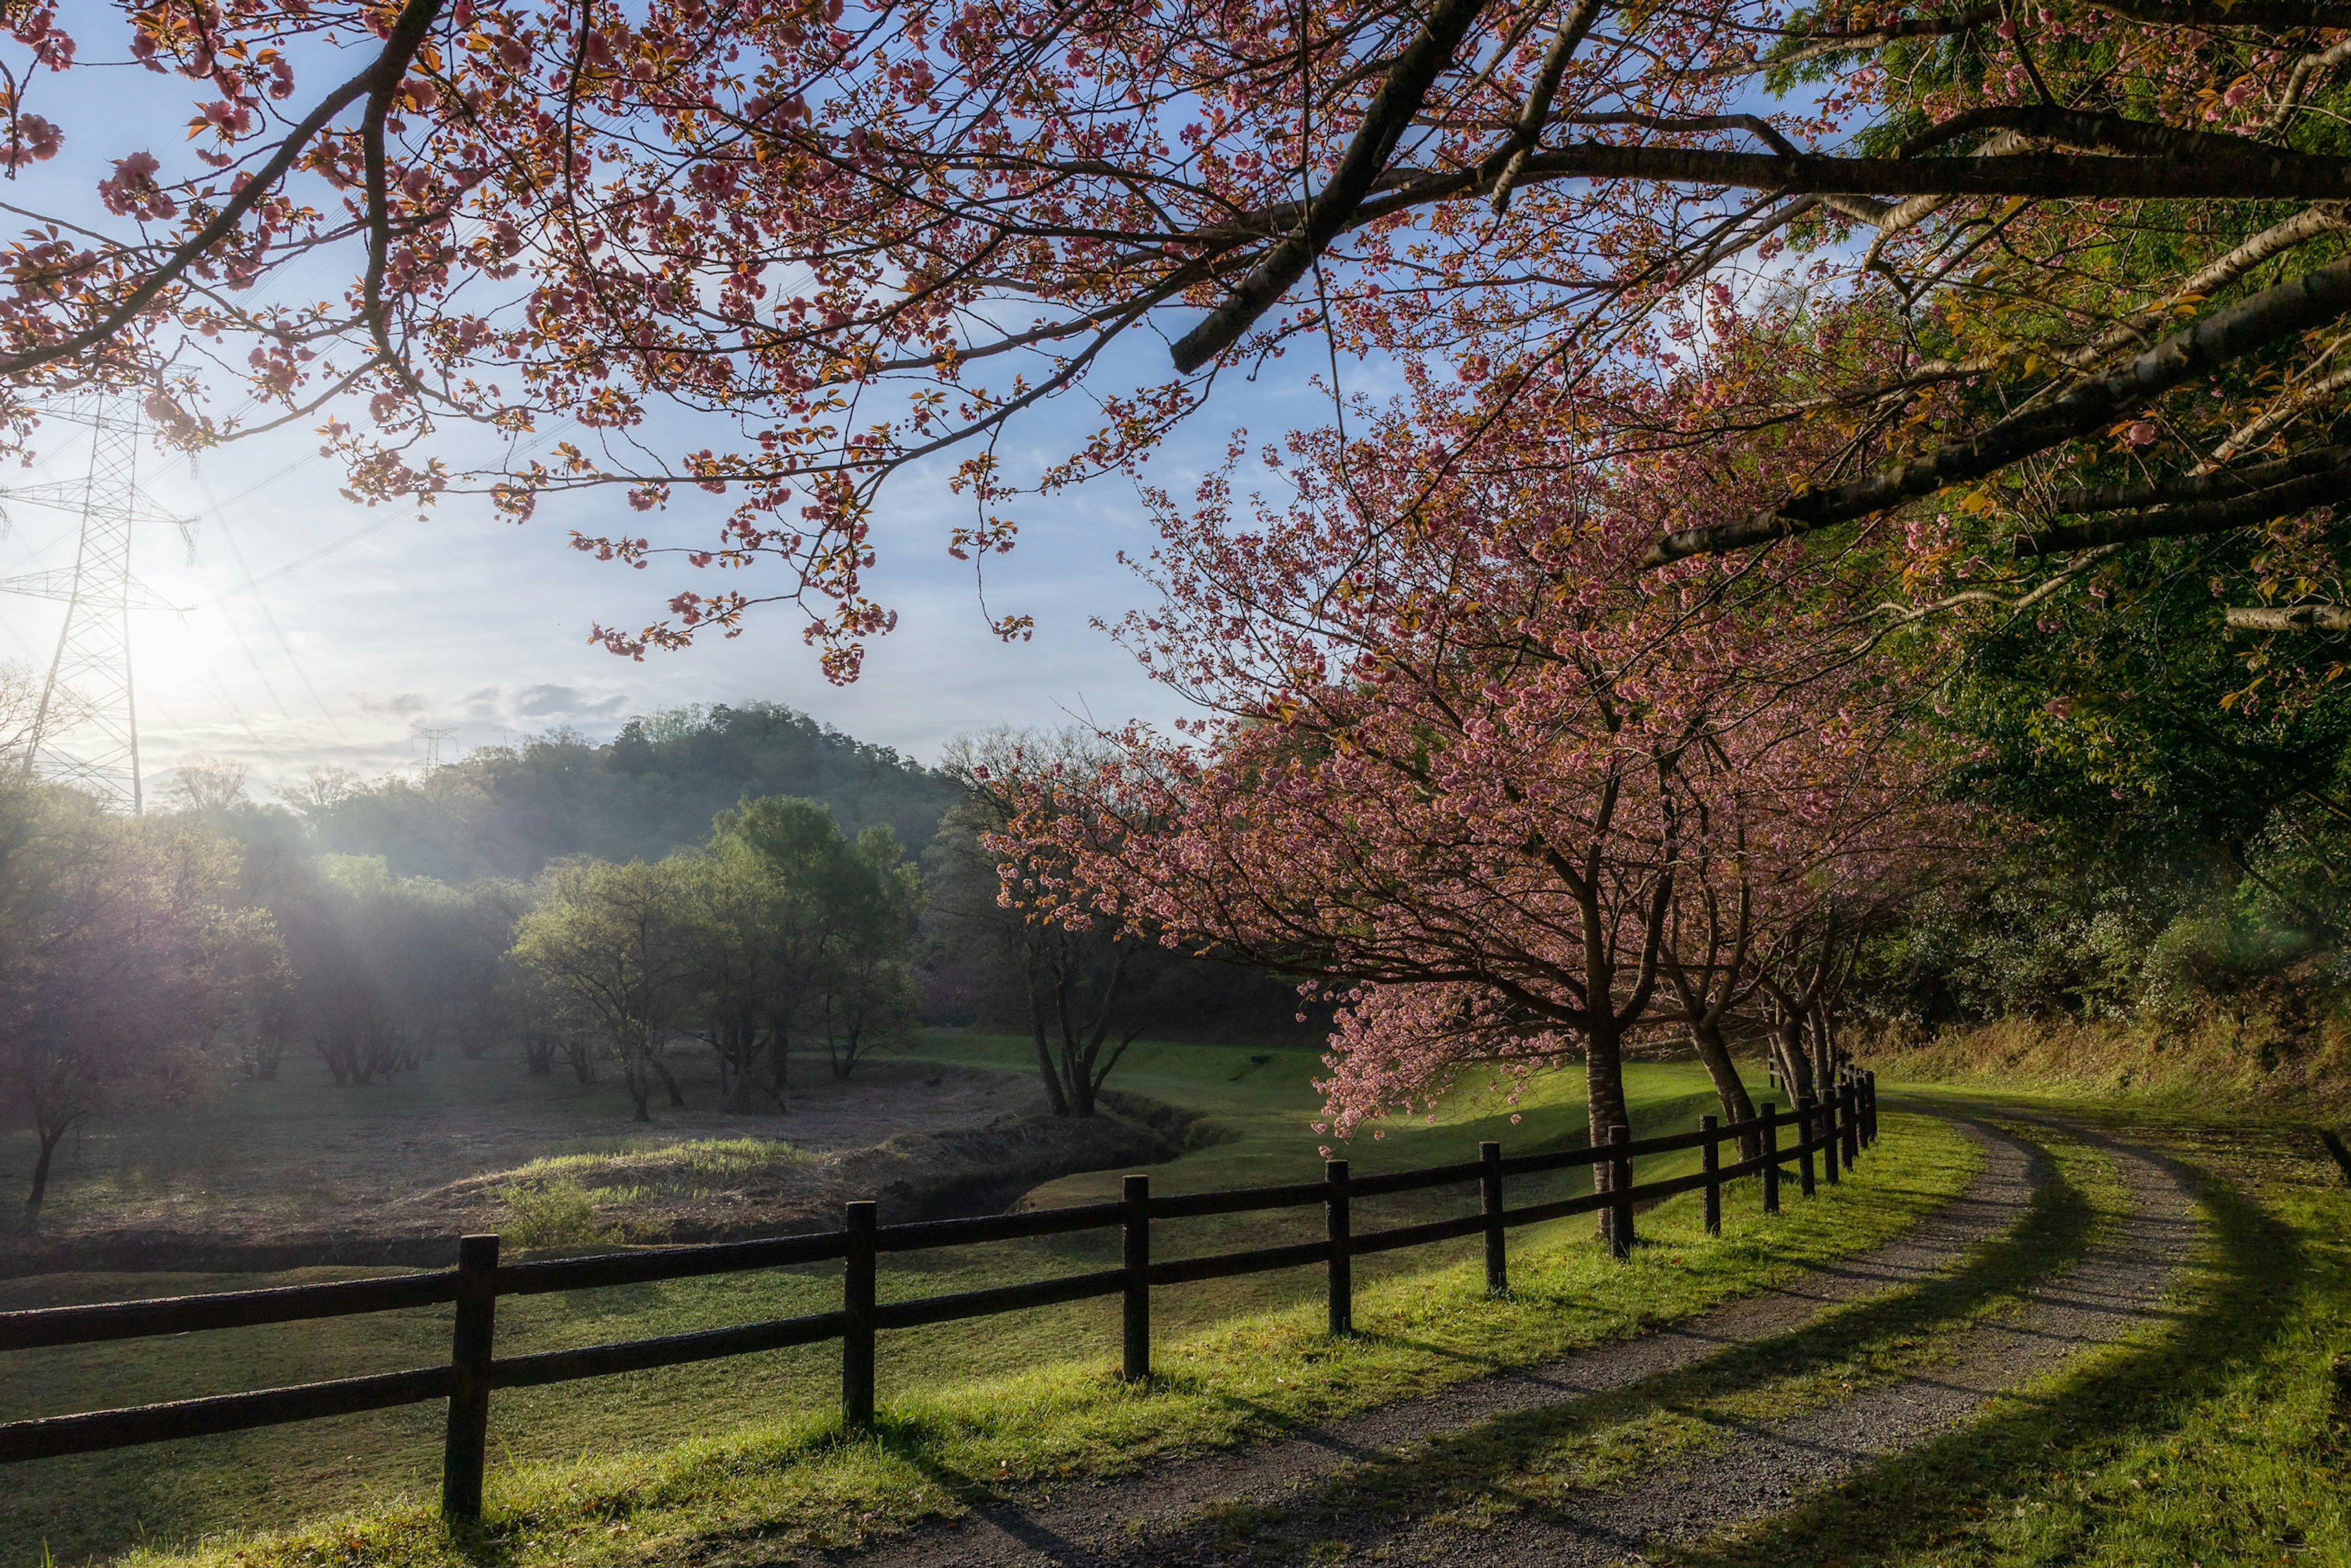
302, 1162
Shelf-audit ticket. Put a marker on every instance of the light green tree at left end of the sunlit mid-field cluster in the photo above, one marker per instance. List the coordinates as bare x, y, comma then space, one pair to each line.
619, 944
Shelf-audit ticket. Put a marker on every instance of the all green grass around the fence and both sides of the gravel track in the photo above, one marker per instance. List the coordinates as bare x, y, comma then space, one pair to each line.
2218, 1438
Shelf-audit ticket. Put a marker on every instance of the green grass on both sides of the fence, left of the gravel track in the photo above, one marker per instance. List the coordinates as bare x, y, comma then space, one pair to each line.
751, 1445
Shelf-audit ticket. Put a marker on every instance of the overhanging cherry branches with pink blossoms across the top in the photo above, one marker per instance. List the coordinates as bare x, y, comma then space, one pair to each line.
756, 257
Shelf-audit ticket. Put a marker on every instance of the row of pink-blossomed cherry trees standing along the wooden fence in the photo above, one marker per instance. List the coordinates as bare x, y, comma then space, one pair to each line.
1480, 782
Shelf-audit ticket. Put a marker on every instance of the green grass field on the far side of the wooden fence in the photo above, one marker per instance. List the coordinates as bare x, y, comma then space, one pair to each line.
1254, 1104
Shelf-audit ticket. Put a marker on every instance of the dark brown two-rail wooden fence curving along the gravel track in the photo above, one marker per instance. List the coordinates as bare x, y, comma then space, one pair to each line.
1842, 1125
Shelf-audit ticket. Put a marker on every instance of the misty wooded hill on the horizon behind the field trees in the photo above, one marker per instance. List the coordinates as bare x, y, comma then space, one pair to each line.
507, 812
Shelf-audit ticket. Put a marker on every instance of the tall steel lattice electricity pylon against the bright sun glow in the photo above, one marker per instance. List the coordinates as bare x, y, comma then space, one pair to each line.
88, 725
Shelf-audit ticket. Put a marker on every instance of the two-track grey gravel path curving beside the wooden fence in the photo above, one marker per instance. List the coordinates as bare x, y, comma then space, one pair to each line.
1177, 1513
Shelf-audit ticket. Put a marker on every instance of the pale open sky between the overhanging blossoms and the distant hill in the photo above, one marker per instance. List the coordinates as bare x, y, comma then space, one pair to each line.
321, 631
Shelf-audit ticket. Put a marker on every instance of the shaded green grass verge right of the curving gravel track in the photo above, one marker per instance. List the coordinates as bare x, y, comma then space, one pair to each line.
2216, 1438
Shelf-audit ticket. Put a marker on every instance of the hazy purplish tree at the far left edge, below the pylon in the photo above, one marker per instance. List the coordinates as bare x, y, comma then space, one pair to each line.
121, 960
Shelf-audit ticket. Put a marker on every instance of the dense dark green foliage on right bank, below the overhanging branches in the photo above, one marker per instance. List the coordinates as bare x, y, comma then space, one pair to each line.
2173, 831
